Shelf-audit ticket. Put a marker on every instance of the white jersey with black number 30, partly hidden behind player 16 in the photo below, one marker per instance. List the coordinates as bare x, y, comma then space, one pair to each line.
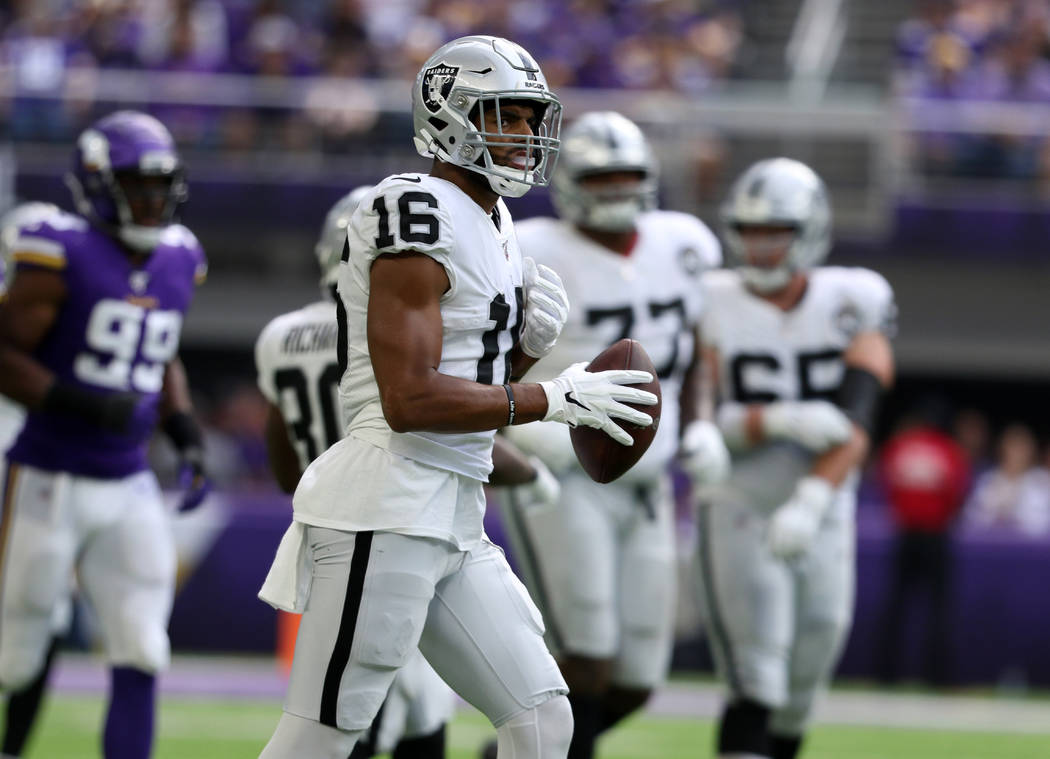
296, 359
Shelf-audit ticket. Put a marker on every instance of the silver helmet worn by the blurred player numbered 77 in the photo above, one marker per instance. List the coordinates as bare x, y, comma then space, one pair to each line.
599, 143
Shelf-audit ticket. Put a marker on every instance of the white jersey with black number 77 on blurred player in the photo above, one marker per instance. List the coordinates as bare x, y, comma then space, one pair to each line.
654, 296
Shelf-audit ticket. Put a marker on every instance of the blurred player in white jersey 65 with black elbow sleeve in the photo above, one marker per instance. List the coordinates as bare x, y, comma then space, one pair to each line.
804, 356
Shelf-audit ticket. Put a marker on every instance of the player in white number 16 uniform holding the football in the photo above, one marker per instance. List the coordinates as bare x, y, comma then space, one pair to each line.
436, 326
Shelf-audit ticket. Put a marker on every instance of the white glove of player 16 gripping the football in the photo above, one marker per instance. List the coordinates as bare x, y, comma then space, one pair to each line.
595, 399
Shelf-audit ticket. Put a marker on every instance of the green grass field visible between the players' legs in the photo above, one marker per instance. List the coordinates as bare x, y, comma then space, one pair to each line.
204, 729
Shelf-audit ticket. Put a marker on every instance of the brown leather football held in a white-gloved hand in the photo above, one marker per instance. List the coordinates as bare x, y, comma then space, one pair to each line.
602, 457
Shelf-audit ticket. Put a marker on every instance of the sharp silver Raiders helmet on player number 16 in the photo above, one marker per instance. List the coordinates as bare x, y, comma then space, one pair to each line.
468, 77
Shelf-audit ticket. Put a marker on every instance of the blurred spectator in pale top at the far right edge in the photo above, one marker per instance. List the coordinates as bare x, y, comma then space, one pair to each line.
1016, 494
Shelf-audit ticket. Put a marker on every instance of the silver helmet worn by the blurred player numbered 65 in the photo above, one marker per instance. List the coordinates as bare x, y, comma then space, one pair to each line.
779, 193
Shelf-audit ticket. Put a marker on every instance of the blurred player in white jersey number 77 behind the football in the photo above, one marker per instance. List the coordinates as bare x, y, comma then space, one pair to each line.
602, 563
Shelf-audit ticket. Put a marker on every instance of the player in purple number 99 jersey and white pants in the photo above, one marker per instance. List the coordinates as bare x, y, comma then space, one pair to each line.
89, 341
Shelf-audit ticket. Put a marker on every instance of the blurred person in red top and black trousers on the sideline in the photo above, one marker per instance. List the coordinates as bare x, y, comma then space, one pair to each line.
926, 475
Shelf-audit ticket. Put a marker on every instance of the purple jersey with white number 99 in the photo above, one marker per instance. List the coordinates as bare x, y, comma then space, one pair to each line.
116, 332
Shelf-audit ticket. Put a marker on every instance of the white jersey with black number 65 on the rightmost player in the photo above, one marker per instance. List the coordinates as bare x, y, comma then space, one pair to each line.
767, 354
